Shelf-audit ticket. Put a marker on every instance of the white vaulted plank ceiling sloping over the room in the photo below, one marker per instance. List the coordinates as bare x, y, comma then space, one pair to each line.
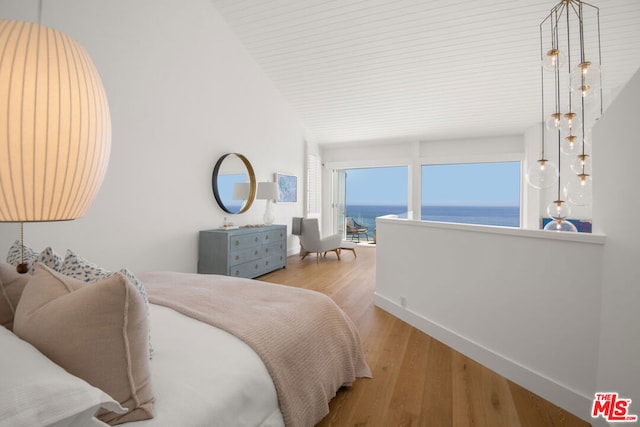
359, 70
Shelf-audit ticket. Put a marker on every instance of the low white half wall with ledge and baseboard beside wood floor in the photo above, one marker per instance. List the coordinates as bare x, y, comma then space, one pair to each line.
510, 299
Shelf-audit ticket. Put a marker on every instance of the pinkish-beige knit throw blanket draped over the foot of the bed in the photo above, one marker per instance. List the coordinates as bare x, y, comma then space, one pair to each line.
308, 344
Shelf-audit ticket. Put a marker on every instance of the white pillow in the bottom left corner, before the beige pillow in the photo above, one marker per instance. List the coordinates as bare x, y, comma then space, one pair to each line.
34, 391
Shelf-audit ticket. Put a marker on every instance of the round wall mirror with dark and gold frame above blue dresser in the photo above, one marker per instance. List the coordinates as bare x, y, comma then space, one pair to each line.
234, 183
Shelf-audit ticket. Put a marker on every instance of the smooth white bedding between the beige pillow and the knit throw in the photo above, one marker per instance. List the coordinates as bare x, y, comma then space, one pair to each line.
203, 376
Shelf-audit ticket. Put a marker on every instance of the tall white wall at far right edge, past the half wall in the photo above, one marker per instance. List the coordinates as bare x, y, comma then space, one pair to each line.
616, 155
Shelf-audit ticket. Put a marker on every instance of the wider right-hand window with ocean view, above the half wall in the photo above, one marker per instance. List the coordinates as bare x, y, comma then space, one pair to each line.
472, 193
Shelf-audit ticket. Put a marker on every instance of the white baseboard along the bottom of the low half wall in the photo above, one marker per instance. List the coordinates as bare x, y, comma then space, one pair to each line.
562, 396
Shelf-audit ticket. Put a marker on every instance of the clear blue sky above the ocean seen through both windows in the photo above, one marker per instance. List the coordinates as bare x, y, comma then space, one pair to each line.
477, 184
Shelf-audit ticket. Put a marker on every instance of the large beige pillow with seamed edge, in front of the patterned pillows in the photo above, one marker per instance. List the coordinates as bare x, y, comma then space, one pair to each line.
97, 332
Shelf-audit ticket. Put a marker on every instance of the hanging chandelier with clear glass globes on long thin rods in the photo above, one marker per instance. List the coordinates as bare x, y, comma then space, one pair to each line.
570, 57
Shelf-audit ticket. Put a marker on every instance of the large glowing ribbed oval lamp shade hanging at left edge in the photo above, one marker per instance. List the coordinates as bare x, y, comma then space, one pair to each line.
55, 127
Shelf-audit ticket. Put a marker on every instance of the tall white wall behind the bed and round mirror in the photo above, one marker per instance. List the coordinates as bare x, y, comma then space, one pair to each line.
182, 92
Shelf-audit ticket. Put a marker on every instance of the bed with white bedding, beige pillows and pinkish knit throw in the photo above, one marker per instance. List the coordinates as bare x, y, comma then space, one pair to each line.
240, 366
